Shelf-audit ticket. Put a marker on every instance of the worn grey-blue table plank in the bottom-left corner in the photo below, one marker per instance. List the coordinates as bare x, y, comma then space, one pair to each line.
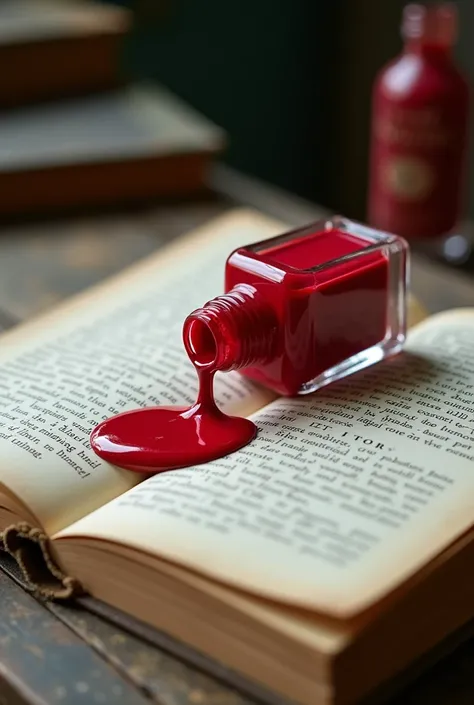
42, 662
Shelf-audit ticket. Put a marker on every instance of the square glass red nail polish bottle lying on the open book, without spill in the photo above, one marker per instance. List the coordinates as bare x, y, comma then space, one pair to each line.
305, 308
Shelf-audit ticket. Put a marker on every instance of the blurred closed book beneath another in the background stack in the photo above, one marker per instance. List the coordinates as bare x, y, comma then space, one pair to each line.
126, 145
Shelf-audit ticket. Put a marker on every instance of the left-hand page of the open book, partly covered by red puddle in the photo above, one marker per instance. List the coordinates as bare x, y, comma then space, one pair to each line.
115, 348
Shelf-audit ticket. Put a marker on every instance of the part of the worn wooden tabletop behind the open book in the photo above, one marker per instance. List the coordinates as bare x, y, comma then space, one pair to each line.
42, 263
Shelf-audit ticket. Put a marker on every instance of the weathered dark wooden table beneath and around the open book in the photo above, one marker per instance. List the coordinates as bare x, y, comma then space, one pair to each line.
58, 654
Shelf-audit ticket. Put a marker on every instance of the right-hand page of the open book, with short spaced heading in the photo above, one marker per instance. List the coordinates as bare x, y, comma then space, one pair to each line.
343, 495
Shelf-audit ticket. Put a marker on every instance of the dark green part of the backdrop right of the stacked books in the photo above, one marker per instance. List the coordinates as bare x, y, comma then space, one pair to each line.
262, 70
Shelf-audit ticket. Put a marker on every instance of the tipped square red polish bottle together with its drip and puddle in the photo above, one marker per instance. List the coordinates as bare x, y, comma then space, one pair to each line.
301, 310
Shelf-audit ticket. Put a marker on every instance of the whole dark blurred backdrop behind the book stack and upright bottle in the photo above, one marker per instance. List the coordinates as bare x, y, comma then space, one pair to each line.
291, 82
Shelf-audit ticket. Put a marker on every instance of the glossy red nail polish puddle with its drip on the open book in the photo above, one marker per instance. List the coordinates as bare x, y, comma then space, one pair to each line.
168, 437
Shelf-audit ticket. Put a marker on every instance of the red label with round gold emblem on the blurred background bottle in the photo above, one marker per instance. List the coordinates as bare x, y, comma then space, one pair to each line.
417, 159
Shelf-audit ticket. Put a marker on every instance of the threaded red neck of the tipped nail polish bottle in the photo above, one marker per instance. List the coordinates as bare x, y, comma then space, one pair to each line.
232, 331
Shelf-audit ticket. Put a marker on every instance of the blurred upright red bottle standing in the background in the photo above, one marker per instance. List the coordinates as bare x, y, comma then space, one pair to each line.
419, 131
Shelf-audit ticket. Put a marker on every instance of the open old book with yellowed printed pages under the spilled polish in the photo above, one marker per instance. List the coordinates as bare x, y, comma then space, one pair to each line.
321, 559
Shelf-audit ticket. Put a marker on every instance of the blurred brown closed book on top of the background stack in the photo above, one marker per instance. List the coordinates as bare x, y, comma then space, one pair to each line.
56, 48
